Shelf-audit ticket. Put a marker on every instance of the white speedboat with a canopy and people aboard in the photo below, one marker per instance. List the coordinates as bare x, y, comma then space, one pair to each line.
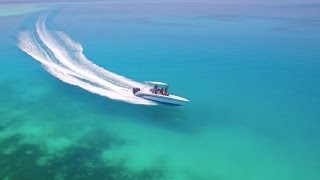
158, 91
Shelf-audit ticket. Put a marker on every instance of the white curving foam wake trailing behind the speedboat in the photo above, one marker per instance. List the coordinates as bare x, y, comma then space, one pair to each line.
63, 58
